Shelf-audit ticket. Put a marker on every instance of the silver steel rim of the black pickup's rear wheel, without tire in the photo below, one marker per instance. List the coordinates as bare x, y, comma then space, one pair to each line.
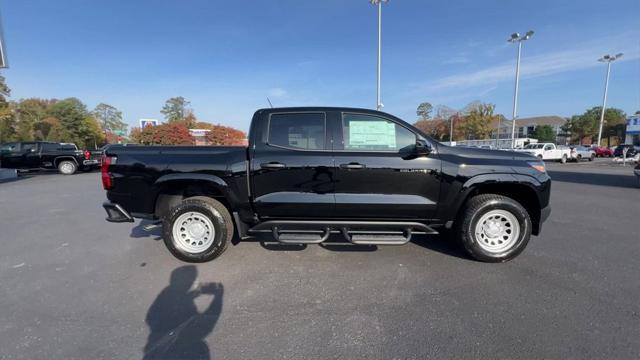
193, 232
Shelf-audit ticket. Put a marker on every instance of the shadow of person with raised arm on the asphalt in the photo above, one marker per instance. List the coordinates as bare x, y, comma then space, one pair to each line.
177, 329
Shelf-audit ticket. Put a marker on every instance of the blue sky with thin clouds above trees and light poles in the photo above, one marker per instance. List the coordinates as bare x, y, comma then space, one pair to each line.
227, 57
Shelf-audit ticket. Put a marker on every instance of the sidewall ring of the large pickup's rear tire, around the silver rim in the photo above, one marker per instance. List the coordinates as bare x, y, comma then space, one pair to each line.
217, 219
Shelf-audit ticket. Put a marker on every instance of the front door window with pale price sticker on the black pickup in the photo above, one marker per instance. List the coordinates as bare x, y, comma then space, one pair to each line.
372, 133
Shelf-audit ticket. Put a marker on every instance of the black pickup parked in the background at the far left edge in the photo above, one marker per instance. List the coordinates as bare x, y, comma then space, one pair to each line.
32, 155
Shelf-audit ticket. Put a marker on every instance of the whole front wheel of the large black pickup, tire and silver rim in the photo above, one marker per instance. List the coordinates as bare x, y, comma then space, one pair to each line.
494, 228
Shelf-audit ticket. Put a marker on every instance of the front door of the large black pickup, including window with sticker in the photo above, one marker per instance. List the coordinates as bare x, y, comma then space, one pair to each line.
378, 174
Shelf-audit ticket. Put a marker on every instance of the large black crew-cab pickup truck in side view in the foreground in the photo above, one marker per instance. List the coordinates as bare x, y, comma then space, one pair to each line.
315, 171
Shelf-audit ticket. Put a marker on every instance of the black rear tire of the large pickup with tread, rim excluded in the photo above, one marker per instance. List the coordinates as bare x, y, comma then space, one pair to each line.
216, 213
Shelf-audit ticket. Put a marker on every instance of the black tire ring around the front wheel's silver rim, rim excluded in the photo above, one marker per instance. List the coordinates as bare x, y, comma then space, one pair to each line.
471, 243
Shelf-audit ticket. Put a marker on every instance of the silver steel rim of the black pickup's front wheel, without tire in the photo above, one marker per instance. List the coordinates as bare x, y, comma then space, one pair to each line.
497, 231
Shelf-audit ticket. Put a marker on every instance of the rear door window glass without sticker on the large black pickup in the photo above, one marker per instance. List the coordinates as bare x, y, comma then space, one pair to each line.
305, 131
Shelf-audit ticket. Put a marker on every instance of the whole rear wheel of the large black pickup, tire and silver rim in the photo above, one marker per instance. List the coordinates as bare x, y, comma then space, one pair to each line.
199, 229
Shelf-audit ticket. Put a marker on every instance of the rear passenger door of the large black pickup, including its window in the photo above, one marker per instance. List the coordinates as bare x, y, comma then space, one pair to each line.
292, 168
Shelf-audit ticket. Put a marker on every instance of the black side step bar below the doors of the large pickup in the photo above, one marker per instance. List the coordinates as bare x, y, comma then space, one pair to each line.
355, 232
